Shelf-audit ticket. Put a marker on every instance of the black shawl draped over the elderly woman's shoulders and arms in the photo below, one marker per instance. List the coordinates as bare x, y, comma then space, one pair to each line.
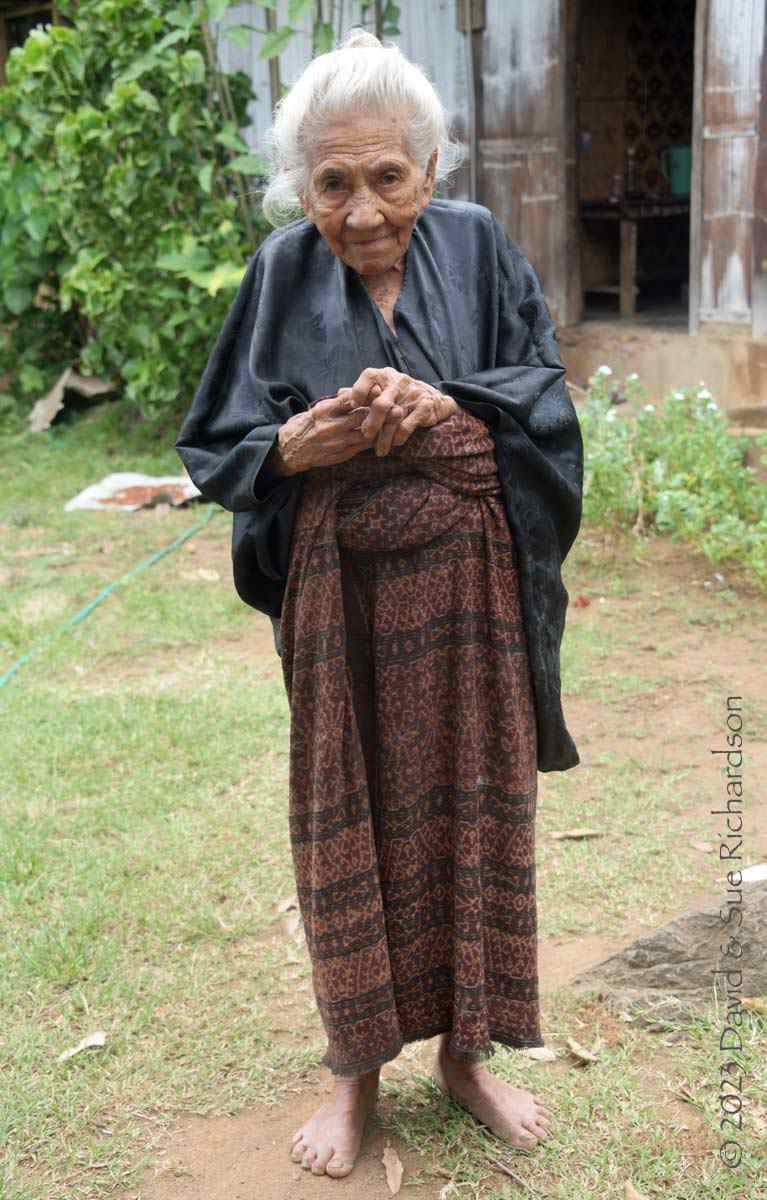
472, 321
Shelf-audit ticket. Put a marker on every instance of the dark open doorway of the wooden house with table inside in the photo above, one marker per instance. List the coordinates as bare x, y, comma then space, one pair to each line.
634, 113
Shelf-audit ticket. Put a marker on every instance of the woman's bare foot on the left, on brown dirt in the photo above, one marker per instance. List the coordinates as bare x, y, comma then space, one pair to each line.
331, 1141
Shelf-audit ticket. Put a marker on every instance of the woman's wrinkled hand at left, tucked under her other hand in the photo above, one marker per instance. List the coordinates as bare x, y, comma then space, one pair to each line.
326, 435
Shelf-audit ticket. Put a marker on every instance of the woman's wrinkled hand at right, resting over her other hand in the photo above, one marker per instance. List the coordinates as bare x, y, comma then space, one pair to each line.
398, 405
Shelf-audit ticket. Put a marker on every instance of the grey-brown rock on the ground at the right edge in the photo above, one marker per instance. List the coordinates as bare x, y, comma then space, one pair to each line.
670, 974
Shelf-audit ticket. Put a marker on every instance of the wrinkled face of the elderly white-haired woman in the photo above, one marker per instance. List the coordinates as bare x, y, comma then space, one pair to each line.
365, 193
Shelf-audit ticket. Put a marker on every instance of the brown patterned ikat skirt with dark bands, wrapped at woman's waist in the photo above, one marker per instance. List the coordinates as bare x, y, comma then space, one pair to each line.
414, 763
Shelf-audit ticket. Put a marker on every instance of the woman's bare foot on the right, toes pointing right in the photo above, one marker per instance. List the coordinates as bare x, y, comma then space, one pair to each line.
512, 1113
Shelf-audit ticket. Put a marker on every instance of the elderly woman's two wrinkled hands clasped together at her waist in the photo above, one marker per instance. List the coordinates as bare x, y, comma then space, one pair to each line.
381, 410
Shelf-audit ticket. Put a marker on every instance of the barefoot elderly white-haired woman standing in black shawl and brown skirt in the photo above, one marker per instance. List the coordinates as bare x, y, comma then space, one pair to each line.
386, 413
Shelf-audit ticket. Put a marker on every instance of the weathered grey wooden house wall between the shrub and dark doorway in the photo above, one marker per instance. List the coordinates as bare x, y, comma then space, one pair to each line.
519, 117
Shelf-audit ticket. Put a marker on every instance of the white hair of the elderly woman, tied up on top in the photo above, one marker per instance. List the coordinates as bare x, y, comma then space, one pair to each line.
362, 76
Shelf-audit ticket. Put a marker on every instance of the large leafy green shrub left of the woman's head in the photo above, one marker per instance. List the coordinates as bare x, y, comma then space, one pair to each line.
123, 233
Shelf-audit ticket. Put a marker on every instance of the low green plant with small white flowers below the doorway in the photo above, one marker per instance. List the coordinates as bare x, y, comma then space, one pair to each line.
674, 469
